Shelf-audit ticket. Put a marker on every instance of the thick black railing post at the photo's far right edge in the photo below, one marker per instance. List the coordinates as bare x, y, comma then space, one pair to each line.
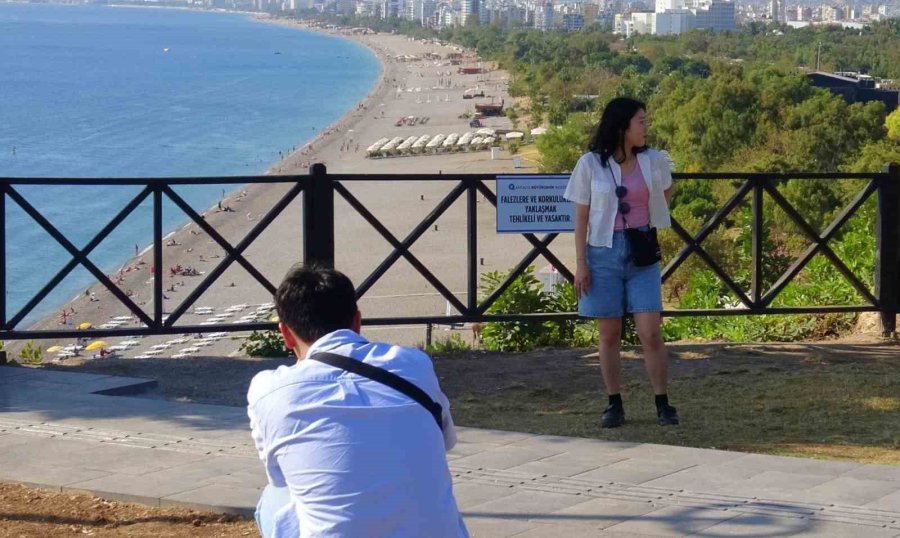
887, 248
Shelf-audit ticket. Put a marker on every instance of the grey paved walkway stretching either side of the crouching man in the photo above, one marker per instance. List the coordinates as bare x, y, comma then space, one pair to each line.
64, 430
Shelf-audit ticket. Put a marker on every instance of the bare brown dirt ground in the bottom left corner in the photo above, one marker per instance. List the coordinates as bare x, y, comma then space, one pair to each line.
38, 513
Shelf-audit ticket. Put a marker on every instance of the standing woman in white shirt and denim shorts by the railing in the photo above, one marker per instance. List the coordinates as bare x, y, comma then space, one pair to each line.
621, 190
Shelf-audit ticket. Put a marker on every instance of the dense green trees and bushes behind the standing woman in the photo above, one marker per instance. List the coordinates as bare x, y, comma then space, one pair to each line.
736, 101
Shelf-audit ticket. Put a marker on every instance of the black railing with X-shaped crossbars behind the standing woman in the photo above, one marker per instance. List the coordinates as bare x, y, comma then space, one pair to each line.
318, 190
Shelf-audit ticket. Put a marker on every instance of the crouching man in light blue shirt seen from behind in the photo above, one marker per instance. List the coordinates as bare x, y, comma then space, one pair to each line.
348, 455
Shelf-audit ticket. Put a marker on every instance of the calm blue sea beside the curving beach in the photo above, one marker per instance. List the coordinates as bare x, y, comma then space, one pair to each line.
121, 92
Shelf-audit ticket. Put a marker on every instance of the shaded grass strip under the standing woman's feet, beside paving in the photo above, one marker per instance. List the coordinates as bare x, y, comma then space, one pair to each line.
839, 401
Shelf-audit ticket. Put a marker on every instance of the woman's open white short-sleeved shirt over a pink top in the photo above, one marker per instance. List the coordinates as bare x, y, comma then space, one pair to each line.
593, 185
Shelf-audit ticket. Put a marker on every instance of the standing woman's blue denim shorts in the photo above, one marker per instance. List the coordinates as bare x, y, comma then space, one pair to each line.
617, 286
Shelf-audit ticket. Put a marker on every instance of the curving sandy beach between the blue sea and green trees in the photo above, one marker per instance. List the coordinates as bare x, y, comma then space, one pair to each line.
359, 248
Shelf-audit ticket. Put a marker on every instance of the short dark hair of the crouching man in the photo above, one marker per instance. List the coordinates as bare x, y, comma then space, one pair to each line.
314, 301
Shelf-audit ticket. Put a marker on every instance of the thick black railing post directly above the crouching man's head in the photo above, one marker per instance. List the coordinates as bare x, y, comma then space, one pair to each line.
318, 218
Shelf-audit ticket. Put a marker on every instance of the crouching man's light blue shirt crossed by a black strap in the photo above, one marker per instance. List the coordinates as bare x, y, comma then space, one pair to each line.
359, 458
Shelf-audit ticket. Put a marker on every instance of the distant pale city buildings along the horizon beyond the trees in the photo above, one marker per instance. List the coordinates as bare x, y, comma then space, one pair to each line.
624, 17
